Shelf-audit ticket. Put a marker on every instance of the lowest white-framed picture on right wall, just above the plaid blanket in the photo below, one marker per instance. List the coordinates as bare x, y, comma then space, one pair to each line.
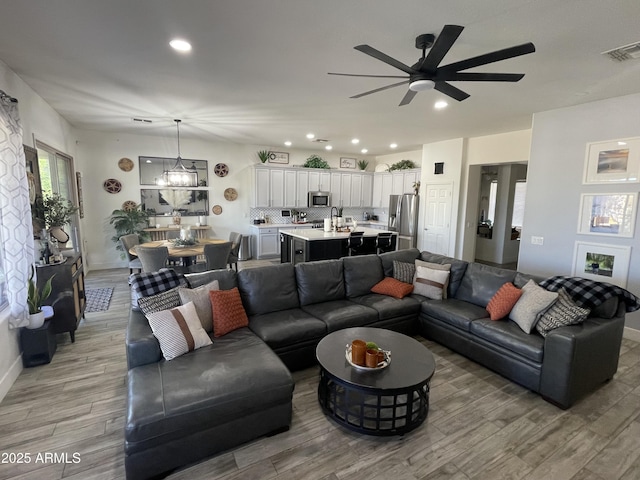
602, 263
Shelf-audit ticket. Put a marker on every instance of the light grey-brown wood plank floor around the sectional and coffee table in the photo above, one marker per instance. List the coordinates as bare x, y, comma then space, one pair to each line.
480, 426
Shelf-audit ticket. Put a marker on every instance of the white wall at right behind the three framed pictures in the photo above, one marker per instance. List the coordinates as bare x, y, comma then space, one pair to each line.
554, 185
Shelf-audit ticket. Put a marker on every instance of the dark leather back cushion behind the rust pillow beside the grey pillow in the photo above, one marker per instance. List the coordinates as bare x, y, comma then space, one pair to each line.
481, 282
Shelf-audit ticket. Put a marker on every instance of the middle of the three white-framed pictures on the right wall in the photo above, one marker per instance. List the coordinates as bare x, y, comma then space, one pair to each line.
610, 214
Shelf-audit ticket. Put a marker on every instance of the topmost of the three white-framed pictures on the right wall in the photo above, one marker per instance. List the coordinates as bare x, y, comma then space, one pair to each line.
614, 161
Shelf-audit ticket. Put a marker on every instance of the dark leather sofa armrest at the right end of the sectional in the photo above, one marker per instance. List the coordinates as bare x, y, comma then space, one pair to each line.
578, 358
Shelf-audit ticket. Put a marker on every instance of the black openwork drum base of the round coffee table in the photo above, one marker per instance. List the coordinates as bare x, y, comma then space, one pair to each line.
372, 411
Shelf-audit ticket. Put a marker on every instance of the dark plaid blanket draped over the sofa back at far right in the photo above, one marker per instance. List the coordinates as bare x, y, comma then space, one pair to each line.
588, 293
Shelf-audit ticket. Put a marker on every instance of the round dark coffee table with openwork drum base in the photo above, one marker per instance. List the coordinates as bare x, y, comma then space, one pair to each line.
390, 401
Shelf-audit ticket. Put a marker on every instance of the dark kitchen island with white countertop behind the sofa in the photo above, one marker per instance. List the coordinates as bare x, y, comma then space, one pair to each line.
308, 245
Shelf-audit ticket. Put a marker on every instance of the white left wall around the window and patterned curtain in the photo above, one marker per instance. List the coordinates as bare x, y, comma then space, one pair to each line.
40, 120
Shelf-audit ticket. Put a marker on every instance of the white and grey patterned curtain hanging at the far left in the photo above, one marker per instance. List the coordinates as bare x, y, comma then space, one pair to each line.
15, 211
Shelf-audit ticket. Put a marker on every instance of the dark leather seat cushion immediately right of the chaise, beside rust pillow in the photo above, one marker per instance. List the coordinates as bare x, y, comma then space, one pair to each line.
287, 327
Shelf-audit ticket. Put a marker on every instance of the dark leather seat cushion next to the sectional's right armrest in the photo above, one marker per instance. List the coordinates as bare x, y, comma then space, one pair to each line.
509, 336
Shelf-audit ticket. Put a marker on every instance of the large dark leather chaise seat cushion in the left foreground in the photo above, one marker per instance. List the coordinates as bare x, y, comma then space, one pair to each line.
195, 392
